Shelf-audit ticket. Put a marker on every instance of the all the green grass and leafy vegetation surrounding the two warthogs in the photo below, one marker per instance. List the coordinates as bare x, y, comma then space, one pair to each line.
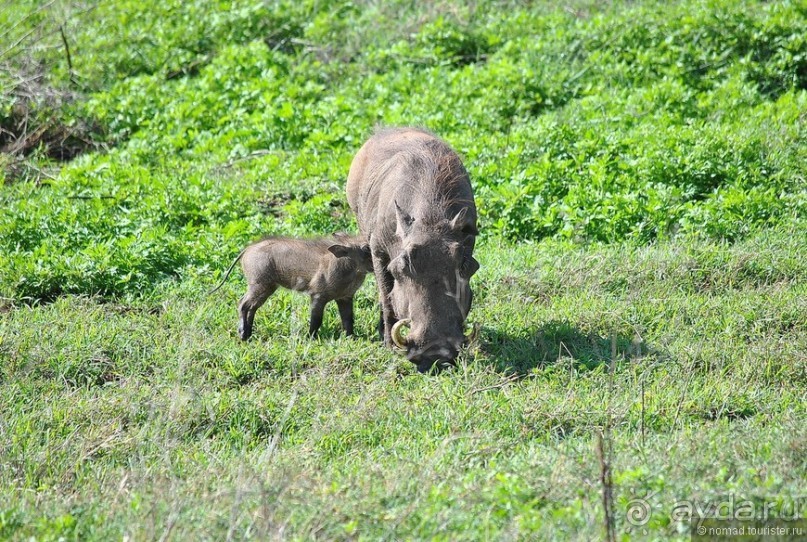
640, 173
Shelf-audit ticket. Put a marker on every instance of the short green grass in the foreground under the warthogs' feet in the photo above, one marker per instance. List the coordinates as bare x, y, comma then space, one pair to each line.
143, 416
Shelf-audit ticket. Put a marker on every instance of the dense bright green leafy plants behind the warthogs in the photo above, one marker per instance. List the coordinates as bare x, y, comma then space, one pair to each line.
613, 124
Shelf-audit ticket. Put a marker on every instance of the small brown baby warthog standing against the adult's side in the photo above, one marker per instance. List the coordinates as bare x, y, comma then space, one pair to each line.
326, 269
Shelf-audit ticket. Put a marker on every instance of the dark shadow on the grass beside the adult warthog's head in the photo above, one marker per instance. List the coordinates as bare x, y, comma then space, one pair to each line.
556, 342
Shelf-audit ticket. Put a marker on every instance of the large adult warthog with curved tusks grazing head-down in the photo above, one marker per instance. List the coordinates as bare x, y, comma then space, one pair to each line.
413, 201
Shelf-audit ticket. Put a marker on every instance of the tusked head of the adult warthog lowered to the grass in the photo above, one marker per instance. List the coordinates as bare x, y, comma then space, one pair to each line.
432, 296
